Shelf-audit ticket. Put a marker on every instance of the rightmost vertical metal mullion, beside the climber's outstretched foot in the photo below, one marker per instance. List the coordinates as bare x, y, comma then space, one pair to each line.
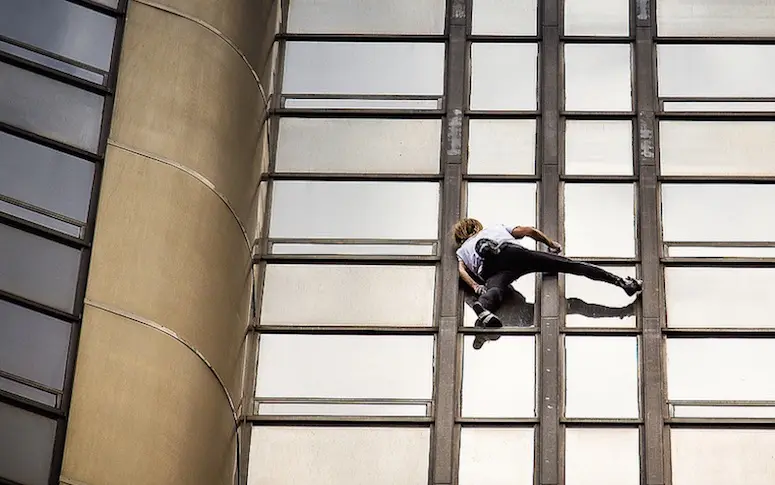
645, 96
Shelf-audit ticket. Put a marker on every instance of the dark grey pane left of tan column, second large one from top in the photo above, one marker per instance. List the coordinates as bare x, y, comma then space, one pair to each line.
50, 108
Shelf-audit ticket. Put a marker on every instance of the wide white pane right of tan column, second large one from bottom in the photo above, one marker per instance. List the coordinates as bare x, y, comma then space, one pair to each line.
345, 366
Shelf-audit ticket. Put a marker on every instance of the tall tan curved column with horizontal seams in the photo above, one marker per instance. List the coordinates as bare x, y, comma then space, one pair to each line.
167, 302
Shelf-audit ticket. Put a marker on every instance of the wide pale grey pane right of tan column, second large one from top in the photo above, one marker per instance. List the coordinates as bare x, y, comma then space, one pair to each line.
364, 68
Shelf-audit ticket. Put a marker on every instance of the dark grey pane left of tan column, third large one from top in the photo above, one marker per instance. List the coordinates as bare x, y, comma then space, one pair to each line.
45, 178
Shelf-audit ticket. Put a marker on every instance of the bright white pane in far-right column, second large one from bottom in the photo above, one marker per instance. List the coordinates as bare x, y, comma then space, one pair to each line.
720, 369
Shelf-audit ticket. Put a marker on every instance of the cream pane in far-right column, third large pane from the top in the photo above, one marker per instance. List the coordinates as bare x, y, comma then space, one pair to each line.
716, 147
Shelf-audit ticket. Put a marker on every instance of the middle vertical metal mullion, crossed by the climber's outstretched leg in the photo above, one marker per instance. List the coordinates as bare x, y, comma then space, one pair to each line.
549, 217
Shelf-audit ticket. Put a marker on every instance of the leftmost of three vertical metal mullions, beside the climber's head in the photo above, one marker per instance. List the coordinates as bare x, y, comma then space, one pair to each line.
452, 158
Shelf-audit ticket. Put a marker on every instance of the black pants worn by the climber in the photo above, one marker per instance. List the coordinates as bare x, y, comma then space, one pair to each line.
515, 261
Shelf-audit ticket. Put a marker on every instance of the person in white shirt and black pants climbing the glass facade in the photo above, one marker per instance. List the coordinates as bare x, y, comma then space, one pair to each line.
493, 256
